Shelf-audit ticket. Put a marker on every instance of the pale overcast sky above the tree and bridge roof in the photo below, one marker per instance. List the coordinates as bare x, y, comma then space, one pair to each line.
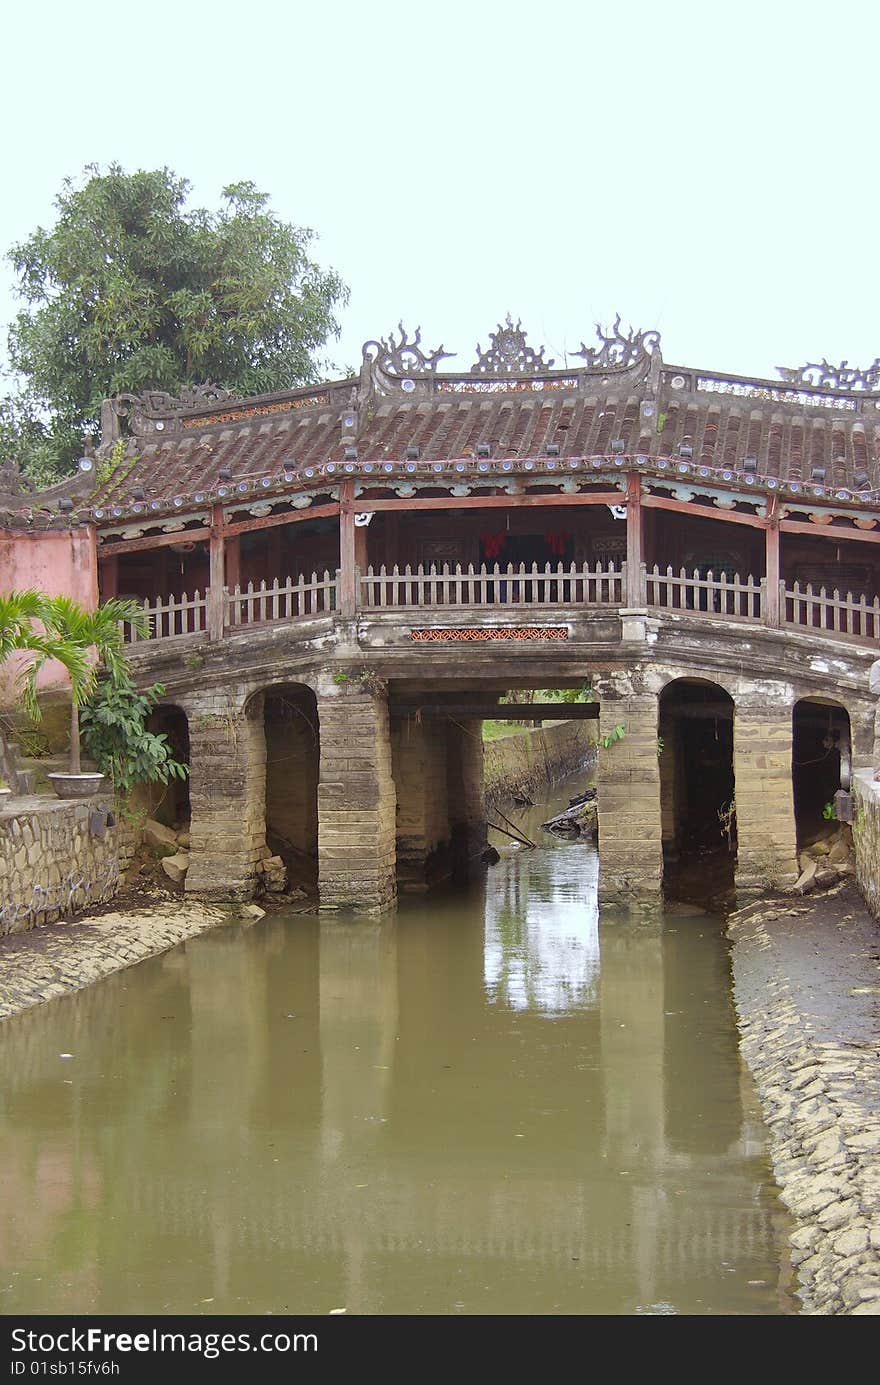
706, 170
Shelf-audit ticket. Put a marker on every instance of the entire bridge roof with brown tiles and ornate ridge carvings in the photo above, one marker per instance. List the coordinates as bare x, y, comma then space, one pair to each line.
817, 433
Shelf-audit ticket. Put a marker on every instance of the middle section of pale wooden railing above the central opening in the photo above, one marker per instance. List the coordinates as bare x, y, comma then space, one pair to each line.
561, 585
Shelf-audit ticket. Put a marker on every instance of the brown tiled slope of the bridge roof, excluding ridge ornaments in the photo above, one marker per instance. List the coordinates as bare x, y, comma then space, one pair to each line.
789, 441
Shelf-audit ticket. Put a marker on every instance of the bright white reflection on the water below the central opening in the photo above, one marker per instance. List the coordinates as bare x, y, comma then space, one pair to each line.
543, 931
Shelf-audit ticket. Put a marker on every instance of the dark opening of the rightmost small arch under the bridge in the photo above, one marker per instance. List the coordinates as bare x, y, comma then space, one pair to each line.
821, 761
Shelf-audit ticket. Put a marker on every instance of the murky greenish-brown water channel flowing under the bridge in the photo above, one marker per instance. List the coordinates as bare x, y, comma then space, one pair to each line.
489, 1103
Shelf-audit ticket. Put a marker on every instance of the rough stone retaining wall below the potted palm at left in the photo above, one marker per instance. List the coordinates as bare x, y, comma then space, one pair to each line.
58, 858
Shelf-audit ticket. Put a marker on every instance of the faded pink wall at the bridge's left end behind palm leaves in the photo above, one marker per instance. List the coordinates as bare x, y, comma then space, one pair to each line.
62, 563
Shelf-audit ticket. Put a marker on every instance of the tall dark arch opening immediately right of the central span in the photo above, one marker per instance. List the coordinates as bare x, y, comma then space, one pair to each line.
696, 785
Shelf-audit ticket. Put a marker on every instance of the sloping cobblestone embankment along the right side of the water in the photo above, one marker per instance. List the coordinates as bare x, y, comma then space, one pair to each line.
807, 991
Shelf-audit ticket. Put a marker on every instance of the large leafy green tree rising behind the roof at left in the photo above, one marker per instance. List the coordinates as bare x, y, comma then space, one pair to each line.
131, 290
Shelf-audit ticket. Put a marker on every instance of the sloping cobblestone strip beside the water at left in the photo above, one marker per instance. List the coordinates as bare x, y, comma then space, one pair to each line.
59, 959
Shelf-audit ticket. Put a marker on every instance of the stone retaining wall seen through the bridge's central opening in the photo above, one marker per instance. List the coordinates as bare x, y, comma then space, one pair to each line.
526, 762
